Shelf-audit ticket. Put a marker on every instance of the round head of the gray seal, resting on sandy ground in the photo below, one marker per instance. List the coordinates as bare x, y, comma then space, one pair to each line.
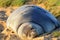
29, 29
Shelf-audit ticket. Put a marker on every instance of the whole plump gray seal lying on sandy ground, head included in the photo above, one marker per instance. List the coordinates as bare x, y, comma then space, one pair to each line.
31, 20
